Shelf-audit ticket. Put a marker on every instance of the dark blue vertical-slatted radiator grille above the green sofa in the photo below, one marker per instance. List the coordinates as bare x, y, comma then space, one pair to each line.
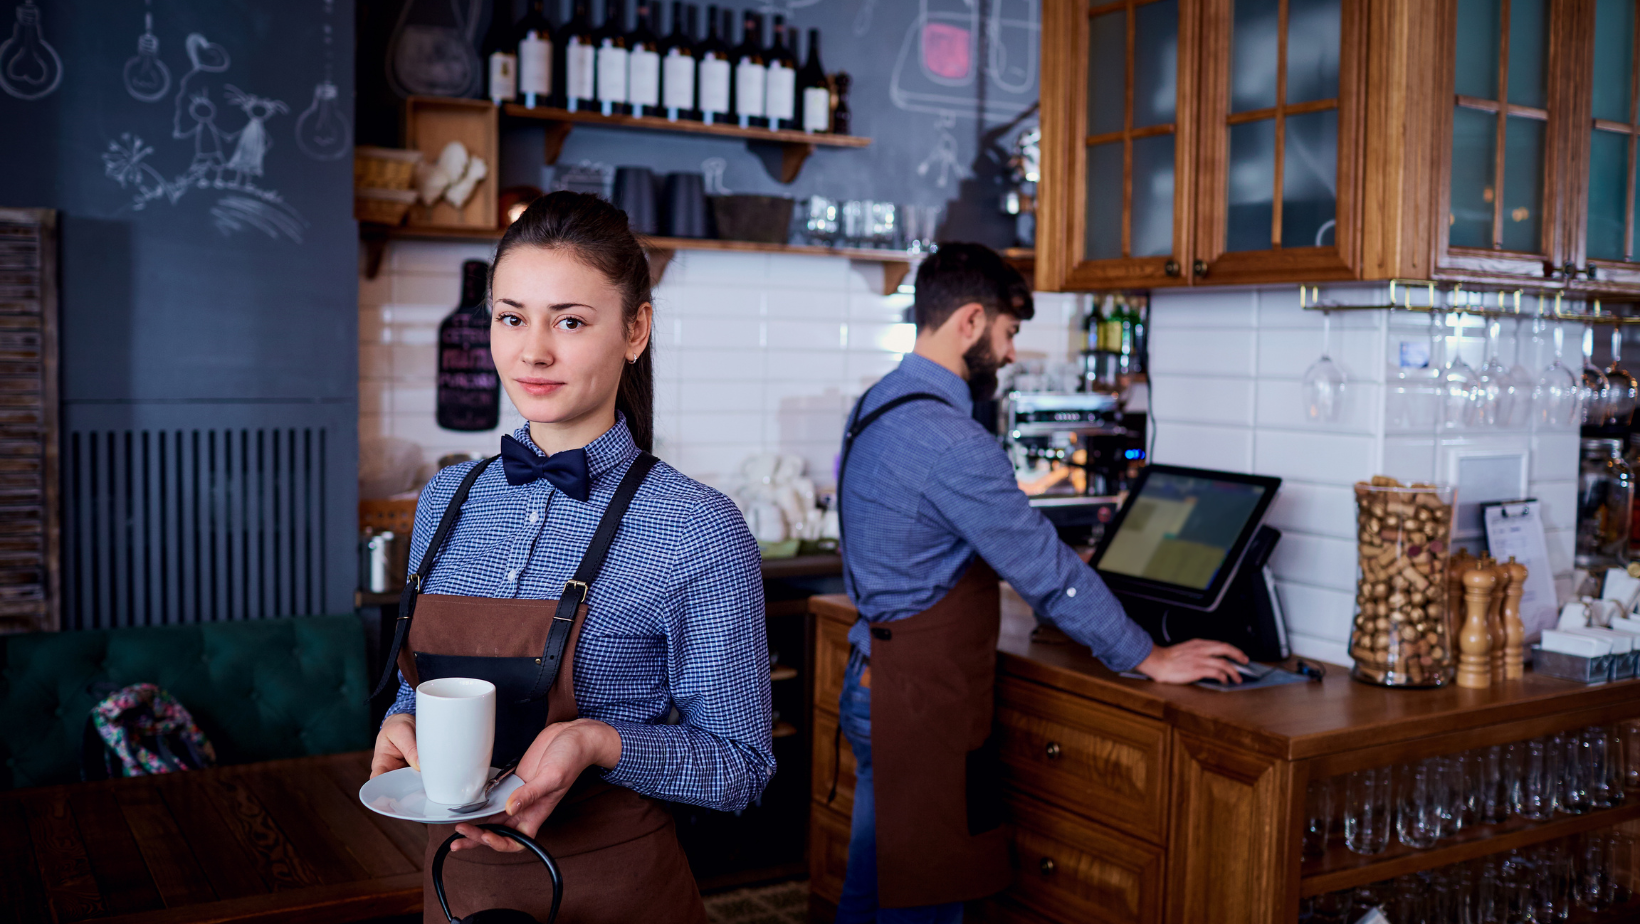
194, 526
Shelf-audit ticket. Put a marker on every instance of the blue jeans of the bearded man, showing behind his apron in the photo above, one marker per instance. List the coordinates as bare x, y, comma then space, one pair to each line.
860, 884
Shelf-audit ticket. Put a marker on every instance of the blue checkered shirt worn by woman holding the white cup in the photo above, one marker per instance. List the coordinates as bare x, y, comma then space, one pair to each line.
675, 620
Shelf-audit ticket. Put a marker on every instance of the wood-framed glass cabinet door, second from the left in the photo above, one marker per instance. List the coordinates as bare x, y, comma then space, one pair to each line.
1280, 91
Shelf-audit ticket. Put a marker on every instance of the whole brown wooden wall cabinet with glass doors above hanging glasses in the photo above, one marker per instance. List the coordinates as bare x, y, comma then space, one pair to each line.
1328, 140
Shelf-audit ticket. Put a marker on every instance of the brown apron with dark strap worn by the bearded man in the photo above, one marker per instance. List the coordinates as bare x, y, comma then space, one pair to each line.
936, 766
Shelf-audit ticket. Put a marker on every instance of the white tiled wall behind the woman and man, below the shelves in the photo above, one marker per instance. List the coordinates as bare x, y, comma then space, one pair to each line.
754, 352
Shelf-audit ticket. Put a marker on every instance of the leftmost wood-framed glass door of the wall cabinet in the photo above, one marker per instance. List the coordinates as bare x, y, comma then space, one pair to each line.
1129, 149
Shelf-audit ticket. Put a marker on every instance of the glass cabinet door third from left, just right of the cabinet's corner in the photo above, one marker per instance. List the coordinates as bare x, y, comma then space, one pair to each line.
1500, 185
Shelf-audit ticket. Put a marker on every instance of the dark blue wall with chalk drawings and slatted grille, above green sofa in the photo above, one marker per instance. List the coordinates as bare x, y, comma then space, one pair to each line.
201, 157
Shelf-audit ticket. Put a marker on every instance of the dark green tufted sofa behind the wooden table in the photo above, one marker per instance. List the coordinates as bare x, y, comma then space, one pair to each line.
260, 690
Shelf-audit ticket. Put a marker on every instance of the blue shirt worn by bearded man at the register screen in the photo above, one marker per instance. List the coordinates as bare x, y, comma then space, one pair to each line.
927, 490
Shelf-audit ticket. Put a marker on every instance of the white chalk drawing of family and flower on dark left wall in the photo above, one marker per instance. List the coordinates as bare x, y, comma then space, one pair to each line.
230, 162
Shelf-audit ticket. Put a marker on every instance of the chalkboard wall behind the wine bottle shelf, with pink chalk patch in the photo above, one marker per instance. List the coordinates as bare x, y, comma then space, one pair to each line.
939, 114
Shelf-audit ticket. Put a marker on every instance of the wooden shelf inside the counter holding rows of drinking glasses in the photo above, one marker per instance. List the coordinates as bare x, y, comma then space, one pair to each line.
1341, 869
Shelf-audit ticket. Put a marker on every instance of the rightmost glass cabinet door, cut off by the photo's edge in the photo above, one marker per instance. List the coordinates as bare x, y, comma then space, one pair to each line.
1611, 126
